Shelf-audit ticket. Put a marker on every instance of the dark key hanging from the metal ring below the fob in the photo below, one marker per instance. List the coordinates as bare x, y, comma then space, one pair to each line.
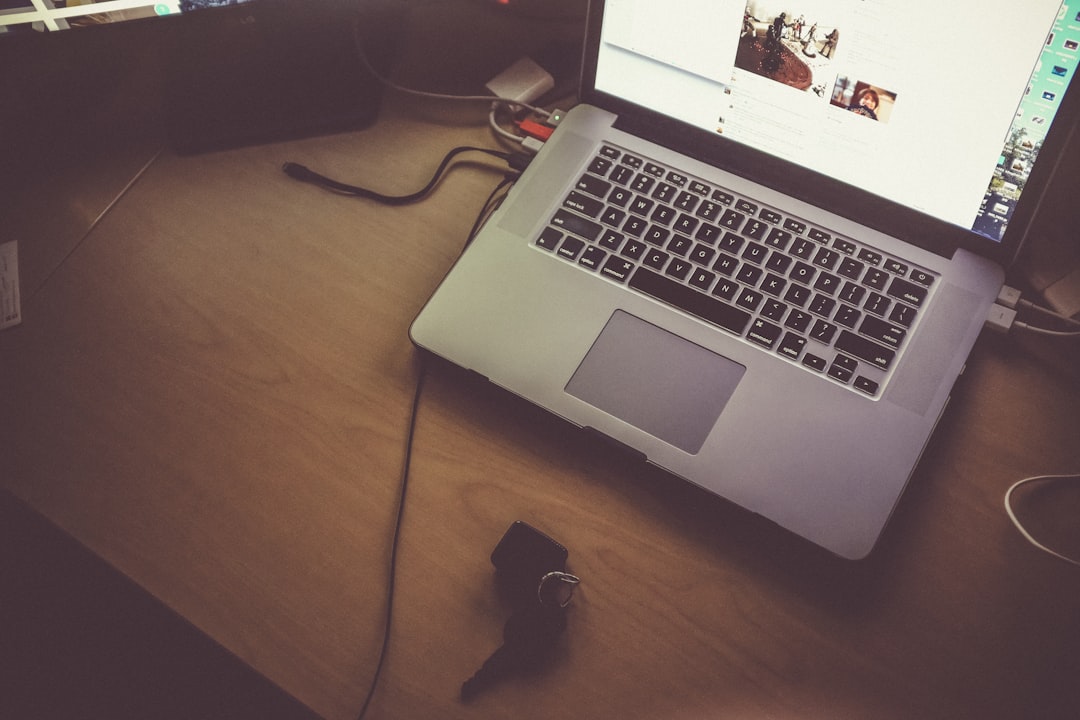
528, 640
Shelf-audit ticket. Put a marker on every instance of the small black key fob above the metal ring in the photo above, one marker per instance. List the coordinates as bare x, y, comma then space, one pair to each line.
522, 560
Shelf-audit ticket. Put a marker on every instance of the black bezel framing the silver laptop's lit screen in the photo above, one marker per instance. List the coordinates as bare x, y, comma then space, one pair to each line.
843, 199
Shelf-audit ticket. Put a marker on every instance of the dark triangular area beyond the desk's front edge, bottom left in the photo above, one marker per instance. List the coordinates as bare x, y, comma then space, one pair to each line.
80, 641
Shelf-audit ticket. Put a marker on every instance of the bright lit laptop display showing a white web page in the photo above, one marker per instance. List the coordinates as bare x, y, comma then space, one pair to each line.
942, 111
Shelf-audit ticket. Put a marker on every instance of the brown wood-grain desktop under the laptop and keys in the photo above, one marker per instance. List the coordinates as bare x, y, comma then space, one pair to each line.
212, 393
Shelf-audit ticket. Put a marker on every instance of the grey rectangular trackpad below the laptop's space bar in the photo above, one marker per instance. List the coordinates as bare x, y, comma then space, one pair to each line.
656, 382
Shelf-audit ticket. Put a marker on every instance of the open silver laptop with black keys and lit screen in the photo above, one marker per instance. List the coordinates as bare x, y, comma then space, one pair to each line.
760, 251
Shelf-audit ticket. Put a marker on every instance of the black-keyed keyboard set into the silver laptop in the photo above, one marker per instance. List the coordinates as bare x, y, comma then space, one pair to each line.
836, 307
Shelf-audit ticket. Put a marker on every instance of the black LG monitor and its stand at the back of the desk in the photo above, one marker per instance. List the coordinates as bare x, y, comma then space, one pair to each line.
244, 72
